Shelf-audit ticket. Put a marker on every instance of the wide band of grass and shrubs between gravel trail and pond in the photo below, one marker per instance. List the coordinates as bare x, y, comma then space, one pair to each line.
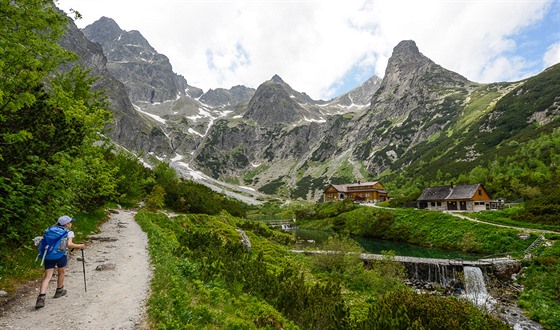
205, 278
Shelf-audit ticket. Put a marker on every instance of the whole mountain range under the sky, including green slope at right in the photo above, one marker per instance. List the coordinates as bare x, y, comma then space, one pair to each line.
419, 119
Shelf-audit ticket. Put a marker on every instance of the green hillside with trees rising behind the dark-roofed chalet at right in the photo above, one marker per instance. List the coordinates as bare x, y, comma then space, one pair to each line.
488, 140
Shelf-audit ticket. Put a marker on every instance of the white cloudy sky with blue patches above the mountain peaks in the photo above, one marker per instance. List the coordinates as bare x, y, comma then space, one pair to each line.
326, 47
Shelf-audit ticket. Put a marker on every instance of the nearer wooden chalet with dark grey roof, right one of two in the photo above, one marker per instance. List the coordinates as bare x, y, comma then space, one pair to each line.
467, 197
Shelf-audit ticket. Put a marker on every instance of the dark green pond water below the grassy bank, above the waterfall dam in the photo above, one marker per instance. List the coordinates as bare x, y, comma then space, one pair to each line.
313, 239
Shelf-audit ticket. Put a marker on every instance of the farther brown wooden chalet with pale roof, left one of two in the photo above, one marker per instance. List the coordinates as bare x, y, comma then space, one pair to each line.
368, 192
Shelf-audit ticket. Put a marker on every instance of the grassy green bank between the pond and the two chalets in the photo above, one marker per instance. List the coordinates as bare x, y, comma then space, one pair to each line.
426, 228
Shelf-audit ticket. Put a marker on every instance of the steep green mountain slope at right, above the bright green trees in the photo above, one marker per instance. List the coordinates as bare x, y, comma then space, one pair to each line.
490, 128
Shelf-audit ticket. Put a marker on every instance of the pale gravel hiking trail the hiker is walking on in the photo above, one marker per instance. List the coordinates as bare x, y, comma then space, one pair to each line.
118, 274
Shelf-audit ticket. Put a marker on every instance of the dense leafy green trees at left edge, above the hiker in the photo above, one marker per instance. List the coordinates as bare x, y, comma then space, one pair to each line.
49, 122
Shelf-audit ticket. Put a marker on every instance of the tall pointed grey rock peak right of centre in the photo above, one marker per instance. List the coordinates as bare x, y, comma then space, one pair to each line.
416, 99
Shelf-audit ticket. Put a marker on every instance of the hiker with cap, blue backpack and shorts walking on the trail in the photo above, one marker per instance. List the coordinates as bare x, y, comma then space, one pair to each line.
64, 224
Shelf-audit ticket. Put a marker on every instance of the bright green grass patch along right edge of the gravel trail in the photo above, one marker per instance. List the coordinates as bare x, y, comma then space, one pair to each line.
181, 300
